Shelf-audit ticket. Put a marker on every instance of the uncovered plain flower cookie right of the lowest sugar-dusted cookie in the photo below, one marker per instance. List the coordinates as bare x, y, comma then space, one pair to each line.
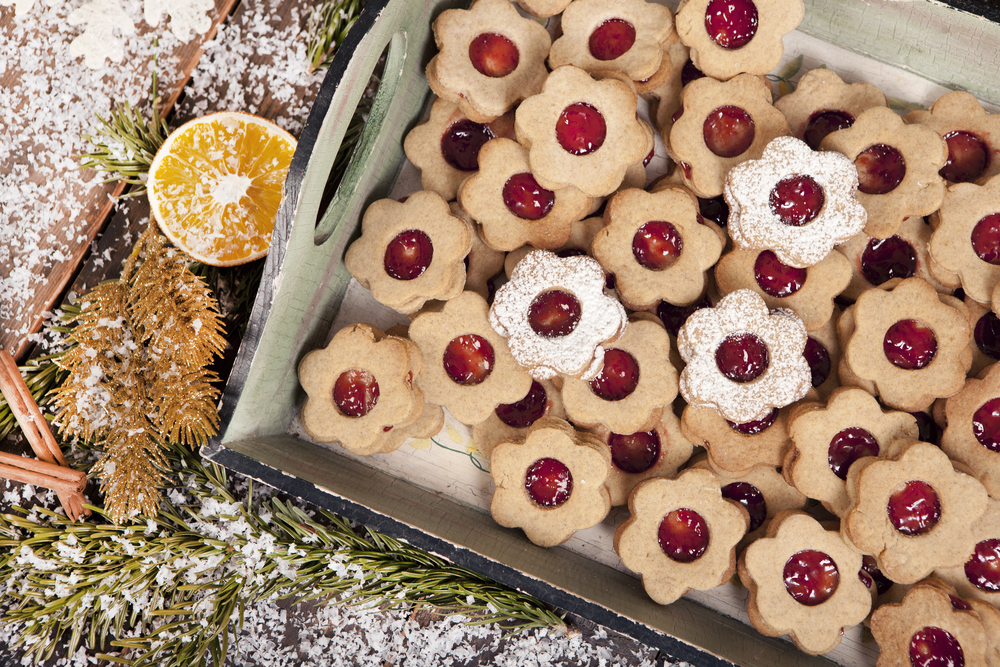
910, 345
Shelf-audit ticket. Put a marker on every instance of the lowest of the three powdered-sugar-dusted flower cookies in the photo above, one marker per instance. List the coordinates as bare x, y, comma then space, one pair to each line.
742, 359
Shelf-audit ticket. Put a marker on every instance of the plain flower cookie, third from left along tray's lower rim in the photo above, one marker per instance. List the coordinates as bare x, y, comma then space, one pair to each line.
681, 534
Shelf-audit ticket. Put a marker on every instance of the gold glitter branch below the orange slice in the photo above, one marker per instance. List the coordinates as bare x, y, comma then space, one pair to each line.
138, 374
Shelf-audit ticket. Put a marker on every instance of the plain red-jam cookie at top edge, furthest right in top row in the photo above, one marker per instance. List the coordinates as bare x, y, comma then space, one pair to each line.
728, 37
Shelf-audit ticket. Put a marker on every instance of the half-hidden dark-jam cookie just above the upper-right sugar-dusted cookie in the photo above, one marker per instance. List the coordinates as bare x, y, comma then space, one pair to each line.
822, 103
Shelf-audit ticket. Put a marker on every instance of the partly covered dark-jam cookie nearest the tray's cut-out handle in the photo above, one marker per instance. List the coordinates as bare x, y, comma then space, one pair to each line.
446, 148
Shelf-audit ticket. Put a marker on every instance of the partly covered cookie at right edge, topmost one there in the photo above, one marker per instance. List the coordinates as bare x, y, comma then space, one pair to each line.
972, 135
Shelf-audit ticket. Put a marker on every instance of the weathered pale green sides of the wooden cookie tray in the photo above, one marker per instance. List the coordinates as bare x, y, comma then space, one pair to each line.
305, 282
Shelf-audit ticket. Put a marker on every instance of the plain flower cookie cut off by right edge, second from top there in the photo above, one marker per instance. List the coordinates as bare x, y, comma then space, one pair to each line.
962, 242
